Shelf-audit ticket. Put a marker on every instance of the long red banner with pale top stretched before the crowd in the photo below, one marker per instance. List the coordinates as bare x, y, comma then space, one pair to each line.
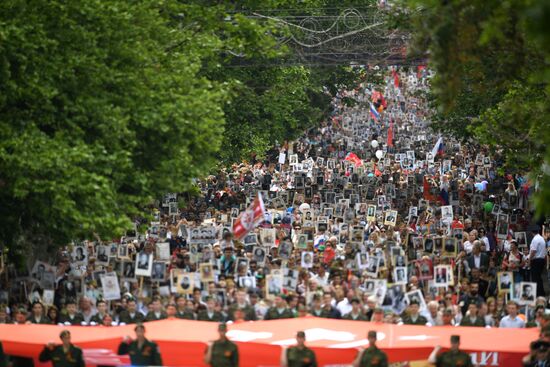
182, 342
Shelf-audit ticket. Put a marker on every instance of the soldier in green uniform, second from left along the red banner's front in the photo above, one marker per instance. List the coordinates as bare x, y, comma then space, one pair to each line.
142, 352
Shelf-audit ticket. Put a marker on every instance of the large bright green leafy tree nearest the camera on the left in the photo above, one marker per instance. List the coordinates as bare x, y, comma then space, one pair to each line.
97, 117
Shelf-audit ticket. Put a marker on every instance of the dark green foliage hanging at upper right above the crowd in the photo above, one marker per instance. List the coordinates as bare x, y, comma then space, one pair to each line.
491, 82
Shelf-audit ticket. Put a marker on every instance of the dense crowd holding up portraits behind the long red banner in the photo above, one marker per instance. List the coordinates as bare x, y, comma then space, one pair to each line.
369, 216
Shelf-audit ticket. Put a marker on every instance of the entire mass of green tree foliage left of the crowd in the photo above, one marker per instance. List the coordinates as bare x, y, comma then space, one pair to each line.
107, 105
